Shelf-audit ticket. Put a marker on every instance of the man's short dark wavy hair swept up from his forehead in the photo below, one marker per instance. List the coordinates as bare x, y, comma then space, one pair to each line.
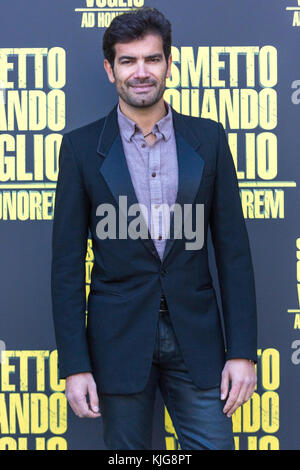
133, 25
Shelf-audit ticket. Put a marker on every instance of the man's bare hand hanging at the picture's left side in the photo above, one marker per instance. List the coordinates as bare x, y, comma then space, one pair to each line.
77, 387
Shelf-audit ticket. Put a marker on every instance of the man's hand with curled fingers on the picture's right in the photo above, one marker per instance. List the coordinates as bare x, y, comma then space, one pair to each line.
242, 375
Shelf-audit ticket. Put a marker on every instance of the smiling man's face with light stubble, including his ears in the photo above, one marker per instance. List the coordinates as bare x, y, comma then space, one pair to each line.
140, 71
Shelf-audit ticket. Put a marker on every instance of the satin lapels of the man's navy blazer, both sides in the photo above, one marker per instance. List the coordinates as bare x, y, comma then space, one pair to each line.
115, 171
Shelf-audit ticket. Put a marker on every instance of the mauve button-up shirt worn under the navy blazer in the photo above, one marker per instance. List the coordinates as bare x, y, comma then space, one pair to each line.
154, 172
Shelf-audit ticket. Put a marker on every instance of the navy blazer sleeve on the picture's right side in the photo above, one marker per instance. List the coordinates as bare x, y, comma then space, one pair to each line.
233, 258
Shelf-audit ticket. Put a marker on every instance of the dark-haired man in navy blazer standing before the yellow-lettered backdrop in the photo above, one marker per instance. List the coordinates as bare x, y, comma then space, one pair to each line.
153, 318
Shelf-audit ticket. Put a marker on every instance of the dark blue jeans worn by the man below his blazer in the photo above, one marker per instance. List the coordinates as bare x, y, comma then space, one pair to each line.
196, 414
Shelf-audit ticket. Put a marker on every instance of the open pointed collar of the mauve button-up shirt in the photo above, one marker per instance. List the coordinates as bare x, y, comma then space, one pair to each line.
128, 127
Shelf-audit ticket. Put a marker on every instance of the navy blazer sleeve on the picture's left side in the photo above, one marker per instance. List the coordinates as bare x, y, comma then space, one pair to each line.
69, 245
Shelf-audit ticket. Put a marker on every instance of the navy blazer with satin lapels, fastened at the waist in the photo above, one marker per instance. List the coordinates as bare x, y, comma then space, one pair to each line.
117, 344
